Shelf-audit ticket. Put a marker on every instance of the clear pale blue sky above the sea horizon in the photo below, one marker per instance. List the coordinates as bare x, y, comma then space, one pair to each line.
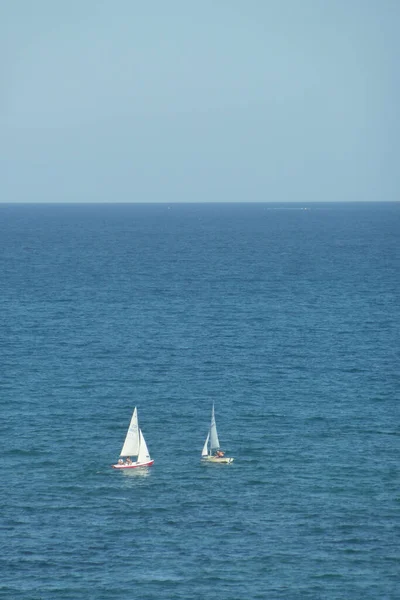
187, 101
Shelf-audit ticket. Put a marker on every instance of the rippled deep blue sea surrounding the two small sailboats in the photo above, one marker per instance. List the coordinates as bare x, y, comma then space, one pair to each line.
285, 316
